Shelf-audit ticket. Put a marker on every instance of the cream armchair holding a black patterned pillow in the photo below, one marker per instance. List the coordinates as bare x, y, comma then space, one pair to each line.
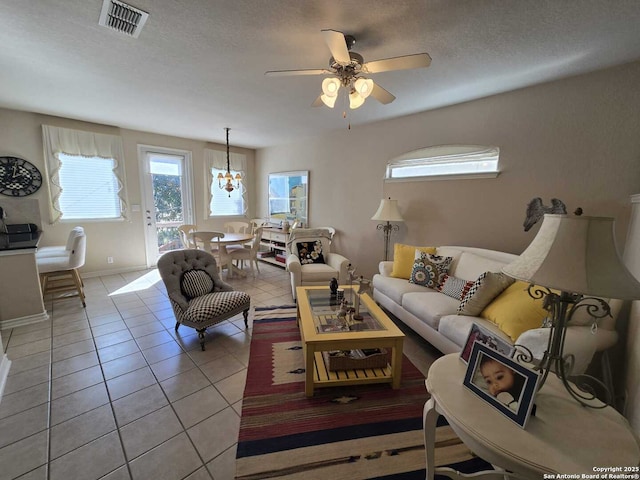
310, 260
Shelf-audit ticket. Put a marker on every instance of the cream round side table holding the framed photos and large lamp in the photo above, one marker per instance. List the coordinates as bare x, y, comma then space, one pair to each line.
562, 438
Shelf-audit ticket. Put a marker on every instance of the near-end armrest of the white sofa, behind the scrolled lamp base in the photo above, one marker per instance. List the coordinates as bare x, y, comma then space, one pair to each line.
580, 342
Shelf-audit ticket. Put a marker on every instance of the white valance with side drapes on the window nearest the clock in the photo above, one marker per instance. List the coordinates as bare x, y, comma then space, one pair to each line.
57, 141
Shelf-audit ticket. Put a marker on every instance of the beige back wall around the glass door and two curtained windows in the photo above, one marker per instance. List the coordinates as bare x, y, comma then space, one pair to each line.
21, 136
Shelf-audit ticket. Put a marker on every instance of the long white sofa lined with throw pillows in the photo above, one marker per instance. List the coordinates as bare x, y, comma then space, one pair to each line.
433, 315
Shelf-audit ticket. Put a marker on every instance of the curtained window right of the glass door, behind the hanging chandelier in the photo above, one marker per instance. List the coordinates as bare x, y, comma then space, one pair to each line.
221, 202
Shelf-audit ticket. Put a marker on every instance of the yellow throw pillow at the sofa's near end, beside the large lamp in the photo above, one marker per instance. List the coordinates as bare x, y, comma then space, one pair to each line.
514, 311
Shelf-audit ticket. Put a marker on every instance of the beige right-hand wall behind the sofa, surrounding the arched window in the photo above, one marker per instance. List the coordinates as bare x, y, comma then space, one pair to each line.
574, 139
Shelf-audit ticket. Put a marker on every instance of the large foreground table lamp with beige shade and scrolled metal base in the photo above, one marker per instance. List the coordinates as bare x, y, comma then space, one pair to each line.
573, 263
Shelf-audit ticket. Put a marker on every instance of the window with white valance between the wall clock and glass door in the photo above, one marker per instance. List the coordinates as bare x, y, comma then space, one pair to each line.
85, 173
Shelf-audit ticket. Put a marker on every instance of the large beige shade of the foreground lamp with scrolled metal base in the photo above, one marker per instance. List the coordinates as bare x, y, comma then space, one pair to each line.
577, 255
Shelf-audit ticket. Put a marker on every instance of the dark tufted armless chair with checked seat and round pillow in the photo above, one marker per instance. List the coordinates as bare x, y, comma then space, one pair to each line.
199, 297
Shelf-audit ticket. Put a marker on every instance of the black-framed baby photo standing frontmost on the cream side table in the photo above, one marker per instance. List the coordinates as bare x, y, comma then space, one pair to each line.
503, 383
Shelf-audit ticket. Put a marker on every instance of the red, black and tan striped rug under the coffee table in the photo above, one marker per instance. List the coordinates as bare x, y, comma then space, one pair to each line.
357, 432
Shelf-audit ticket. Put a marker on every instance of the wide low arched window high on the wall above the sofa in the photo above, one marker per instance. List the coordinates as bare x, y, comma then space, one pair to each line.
445, 162
